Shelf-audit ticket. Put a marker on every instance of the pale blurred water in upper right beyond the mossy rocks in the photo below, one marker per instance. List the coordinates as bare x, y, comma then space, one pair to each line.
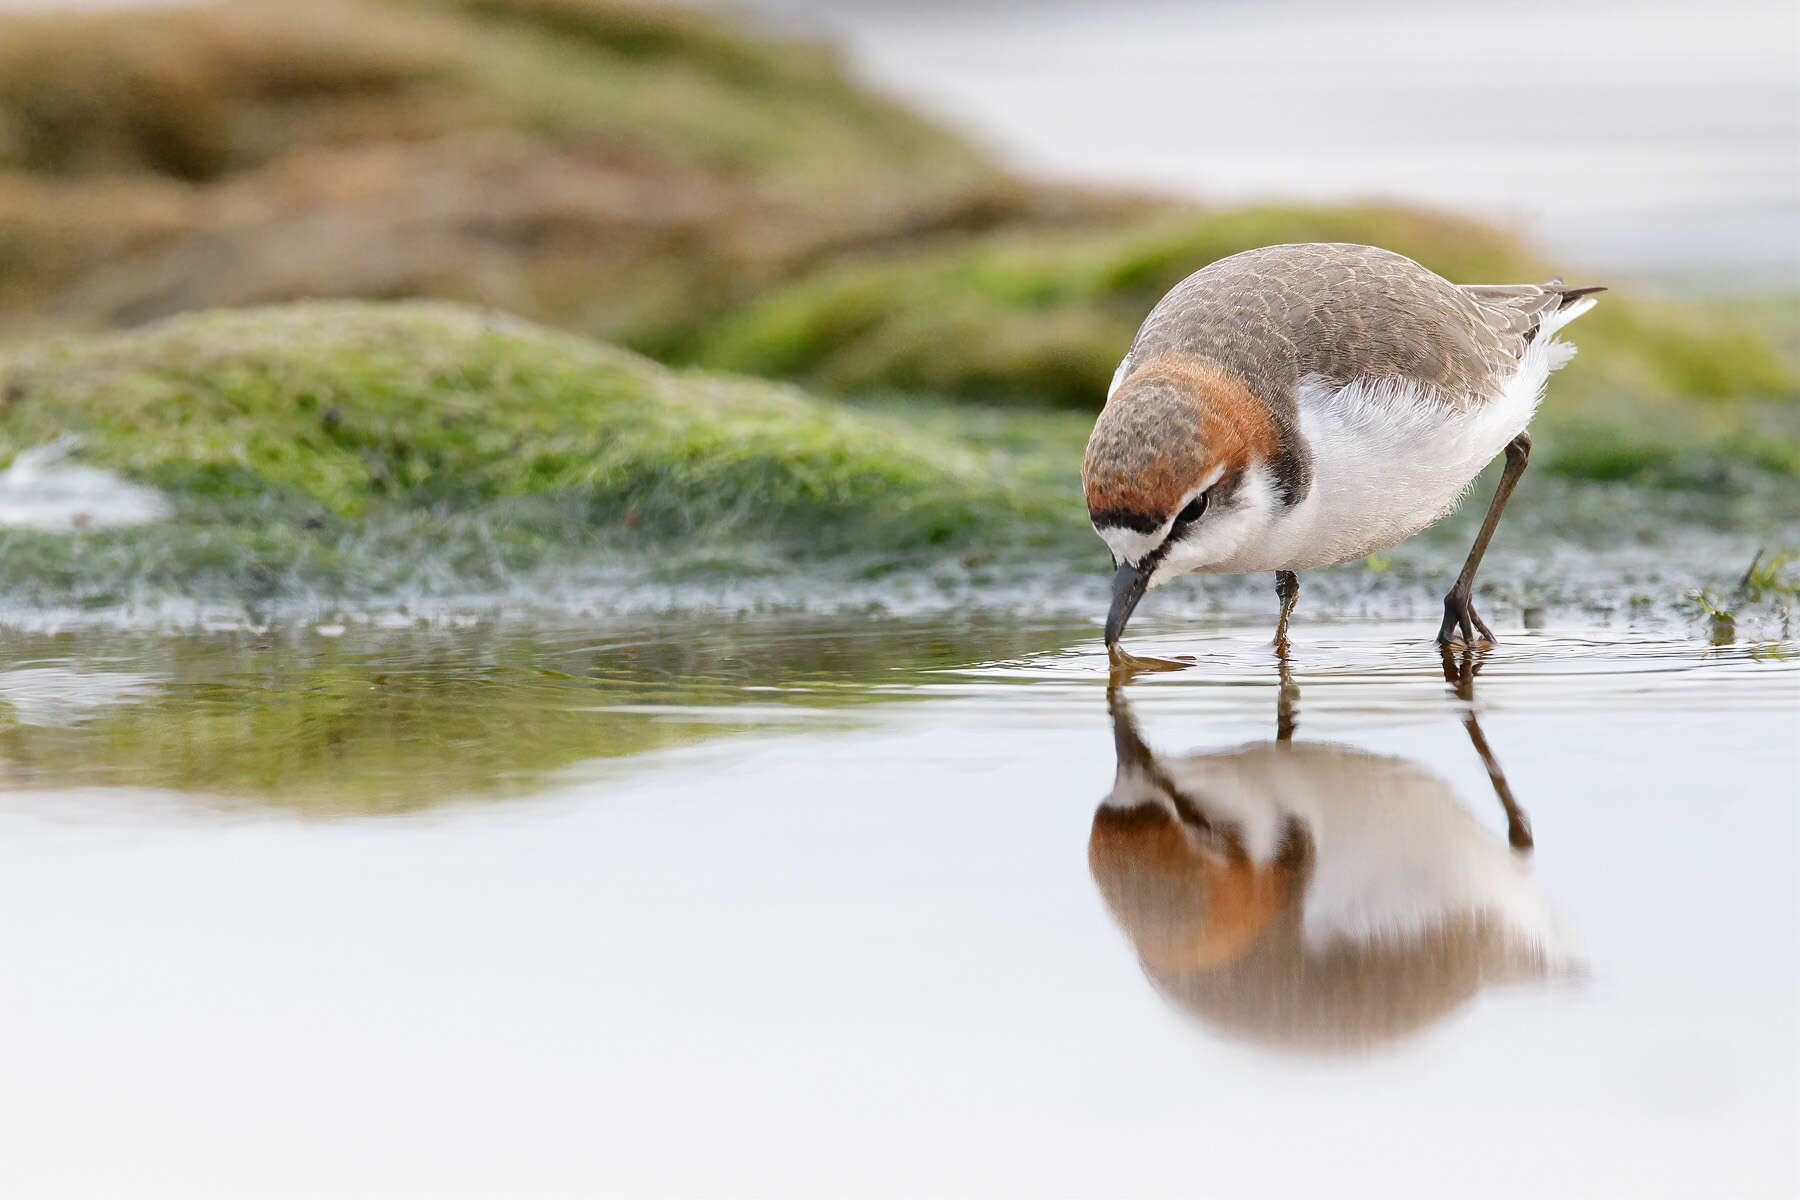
1639, 139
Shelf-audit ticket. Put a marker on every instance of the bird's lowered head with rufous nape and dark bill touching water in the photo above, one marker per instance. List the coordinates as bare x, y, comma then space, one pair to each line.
1178, 476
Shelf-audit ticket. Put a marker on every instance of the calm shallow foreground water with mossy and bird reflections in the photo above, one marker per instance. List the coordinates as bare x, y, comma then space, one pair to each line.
897, 909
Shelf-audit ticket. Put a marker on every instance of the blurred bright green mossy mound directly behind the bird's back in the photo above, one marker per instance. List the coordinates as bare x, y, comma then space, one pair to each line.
1047, 318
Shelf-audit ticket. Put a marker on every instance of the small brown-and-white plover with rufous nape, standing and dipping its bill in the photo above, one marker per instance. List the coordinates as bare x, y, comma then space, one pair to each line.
1313, 404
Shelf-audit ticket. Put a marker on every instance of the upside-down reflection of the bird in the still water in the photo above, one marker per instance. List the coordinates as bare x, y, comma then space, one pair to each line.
1308, 895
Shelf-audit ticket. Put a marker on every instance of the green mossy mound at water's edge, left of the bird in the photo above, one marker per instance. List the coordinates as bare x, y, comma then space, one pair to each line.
348, 447
